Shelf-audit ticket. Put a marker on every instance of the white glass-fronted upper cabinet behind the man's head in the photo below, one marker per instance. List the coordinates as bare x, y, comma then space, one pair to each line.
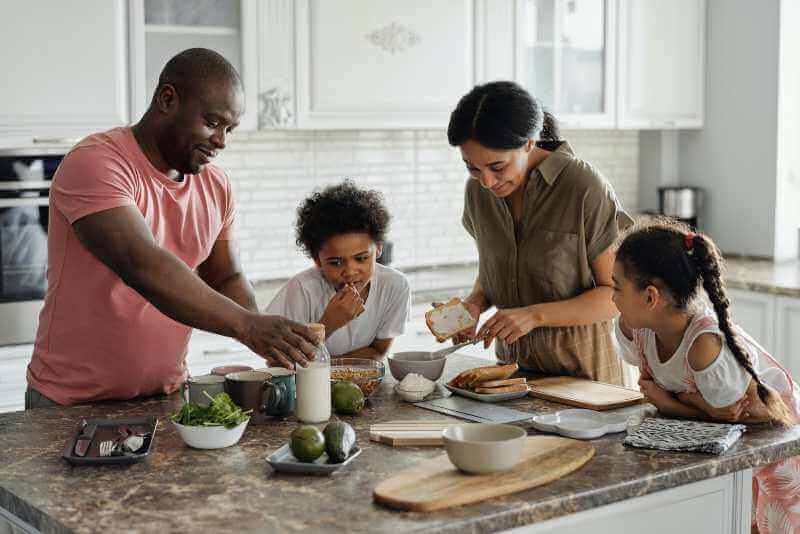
159, 29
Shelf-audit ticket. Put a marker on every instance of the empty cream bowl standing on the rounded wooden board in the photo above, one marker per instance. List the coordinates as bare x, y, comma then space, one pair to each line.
480, 448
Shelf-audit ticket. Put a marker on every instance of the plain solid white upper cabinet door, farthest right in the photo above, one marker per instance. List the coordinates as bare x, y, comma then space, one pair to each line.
661, 63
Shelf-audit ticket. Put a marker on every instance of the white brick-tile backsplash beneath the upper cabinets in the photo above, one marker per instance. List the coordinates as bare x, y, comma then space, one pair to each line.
421, 177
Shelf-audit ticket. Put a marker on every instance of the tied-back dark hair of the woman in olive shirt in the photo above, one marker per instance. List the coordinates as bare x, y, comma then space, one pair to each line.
501, 116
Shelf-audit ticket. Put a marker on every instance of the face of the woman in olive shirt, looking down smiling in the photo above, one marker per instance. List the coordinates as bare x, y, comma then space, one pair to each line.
500, 171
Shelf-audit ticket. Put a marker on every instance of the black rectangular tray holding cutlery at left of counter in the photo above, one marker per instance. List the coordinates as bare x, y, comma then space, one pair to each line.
107, 429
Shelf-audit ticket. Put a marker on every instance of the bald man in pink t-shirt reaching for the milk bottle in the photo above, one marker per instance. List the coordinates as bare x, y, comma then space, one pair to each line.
141, 249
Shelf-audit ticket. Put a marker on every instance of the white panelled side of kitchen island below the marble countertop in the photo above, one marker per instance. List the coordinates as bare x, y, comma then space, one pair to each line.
717, 506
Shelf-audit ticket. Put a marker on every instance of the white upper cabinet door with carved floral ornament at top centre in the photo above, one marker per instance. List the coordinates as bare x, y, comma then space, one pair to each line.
382, 63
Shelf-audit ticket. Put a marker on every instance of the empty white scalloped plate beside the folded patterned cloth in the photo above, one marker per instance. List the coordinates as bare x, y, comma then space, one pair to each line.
582, 424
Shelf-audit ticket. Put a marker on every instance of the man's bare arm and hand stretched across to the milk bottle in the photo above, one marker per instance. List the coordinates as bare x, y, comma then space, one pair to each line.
121, 239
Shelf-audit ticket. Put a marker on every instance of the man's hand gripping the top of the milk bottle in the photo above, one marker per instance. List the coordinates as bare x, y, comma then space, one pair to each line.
277, 338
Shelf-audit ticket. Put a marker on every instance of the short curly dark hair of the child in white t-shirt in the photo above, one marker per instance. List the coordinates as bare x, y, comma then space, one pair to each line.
340, 209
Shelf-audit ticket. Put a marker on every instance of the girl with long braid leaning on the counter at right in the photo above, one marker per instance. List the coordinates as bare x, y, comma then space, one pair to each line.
694, 361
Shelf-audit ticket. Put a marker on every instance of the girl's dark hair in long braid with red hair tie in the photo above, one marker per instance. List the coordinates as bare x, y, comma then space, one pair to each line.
667, 254
